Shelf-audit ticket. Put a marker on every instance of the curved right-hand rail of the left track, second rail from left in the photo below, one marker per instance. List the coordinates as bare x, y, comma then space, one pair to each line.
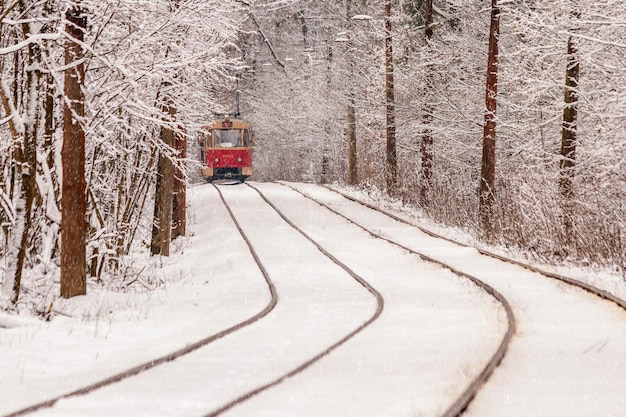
379, 309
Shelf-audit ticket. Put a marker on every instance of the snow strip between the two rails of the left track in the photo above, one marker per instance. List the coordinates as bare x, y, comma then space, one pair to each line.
318, 304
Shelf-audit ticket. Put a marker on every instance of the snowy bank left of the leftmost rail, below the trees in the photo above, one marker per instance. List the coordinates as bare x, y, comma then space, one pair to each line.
106, 334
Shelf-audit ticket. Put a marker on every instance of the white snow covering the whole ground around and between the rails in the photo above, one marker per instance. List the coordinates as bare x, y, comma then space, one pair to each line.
435, 333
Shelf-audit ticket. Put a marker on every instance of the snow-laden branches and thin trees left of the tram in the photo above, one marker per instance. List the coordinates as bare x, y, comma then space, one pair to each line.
131, 49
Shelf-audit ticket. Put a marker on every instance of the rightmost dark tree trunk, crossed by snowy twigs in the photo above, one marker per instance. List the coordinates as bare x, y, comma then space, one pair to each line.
568, 137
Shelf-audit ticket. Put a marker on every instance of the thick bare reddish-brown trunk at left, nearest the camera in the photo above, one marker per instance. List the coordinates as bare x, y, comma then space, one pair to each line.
73, 201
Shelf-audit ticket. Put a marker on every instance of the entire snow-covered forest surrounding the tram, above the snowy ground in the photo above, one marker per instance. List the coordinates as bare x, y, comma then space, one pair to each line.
505, 119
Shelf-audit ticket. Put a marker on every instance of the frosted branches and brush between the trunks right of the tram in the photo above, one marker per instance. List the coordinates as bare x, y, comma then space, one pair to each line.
439, 88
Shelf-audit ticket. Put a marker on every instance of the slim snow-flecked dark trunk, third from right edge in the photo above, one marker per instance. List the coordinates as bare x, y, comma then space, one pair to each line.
426, 147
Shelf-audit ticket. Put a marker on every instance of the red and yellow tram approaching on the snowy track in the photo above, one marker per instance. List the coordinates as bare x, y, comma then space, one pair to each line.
226, 150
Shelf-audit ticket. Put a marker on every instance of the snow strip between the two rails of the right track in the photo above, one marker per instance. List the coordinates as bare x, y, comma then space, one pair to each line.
569, 355
